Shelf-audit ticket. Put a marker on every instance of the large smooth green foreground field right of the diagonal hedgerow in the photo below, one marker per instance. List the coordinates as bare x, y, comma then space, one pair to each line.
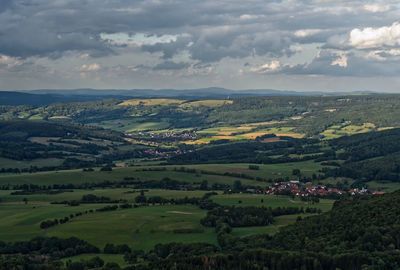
139, 228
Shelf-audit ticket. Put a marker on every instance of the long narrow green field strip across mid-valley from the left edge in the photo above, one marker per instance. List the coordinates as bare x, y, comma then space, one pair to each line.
266, 171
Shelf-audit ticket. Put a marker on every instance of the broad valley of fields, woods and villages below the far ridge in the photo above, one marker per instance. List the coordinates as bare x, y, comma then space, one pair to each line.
138, 177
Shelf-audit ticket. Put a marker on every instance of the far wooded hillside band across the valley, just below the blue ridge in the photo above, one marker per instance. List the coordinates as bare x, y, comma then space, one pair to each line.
323, 116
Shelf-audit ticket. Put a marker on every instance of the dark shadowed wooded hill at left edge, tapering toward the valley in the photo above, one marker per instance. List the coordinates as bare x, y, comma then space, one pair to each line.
59, 145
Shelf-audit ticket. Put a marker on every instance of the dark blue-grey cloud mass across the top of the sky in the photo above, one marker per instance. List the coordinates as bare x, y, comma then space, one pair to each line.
217, 29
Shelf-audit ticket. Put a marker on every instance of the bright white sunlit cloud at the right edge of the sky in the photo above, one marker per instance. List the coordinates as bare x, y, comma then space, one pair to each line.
369, 37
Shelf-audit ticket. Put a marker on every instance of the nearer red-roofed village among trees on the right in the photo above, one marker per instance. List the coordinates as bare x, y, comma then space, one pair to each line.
307, 189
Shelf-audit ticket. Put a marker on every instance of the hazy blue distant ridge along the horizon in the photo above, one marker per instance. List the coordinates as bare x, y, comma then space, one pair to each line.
42, 97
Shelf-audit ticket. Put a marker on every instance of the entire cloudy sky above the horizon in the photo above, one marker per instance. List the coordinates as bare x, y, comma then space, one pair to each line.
309, 45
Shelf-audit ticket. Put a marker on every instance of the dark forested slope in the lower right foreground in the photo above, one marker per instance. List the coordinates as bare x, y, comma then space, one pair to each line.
358, 233
